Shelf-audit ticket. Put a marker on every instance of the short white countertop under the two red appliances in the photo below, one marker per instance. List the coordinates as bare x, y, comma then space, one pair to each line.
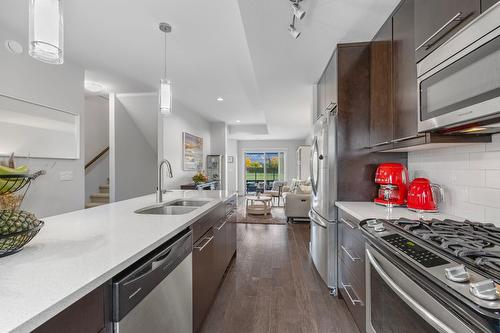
366, 210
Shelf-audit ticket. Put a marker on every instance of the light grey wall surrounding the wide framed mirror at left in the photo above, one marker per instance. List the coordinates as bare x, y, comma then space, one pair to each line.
60, 87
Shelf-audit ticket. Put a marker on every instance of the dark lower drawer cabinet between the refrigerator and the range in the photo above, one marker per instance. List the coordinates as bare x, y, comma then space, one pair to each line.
352, 268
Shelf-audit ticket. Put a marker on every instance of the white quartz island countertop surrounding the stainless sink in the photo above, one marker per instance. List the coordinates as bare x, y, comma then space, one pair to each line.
75, 253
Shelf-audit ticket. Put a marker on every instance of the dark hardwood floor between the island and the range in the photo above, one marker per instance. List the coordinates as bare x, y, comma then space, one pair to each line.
272, 286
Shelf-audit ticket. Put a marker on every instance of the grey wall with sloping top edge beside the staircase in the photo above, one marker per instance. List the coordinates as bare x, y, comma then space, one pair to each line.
132, 160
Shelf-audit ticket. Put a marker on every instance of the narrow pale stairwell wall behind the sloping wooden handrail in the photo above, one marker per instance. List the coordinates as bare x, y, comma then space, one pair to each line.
96, 139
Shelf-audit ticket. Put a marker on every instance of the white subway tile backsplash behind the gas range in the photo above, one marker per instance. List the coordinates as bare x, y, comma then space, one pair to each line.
470, 176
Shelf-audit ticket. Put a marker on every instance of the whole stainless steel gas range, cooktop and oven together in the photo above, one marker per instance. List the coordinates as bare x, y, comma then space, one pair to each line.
432, 276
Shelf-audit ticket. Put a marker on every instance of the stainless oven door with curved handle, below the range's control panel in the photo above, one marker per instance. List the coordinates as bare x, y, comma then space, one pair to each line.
395, 303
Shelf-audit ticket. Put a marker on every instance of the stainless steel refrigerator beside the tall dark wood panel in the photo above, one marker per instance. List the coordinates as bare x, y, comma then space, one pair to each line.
323, 245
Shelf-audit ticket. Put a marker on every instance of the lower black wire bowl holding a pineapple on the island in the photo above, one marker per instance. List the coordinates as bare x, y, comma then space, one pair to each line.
17, 228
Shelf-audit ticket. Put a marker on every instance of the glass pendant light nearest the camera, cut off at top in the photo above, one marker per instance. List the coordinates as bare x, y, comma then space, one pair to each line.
46, 31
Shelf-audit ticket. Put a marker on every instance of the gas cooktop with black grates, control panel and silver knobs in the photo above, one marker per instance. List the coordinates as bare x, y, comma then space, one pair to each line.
464, 256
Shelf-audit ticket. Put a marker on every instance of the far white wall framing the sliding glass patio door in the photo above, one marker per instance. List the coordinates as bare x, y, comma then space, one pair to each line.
289, 146
